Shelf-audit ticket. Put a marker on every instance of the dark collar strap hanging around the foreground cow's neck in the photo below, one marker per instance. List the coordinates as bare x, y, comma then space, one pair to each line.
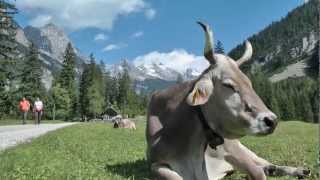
213, 138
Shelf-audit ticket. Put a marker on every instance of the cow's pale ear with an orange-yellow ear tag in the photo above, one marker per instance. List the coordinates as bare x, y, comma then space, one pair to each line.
200, 93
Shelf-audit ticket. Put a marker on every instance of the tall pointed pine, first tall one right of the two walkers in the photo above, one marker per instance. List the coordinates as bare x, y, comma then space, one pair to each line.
67, 78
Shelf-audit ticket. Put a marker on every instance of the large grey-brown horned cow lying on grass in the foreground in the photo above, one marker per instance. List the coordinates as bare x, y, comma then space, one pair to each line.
192, 128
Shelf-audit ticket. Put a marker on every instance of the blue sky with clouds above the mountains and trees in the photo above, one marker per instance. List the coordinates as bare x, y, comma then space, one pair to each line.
114, 30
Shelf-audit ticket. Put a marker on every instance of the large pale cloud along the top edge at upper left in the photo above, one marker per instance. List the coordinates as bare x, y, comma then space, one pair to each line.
77, 14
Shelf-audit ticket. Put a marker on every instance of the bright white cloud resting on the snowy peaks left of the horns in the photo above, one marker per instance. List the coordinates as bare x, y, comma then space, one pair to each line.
178, 59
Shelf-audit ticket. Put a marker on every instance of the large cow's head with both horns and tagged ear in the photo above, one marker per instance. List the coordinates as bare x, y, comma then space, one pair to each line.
227, 99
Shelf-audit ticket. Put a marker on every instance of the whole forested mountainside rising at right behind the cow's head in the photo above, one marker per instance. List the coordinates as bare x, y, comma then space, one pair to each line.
291, 40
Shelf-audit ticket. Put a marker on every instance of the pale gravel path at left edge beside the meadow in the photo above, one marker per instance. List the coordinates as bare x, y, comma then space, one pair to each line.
15, 134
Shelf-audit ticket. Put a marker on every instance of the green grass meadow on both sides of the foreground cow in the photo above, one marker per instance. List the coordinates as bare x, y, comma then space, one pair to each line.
97, 151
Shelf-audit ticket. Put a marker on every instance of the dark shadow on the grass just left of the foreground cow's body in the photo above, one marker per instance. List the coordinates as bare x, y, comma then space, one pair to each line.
130, 170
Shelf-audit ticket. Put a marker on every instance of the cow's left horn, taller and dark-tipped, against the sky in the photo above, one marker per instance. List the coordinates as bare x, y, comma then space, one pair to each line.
208, 49
